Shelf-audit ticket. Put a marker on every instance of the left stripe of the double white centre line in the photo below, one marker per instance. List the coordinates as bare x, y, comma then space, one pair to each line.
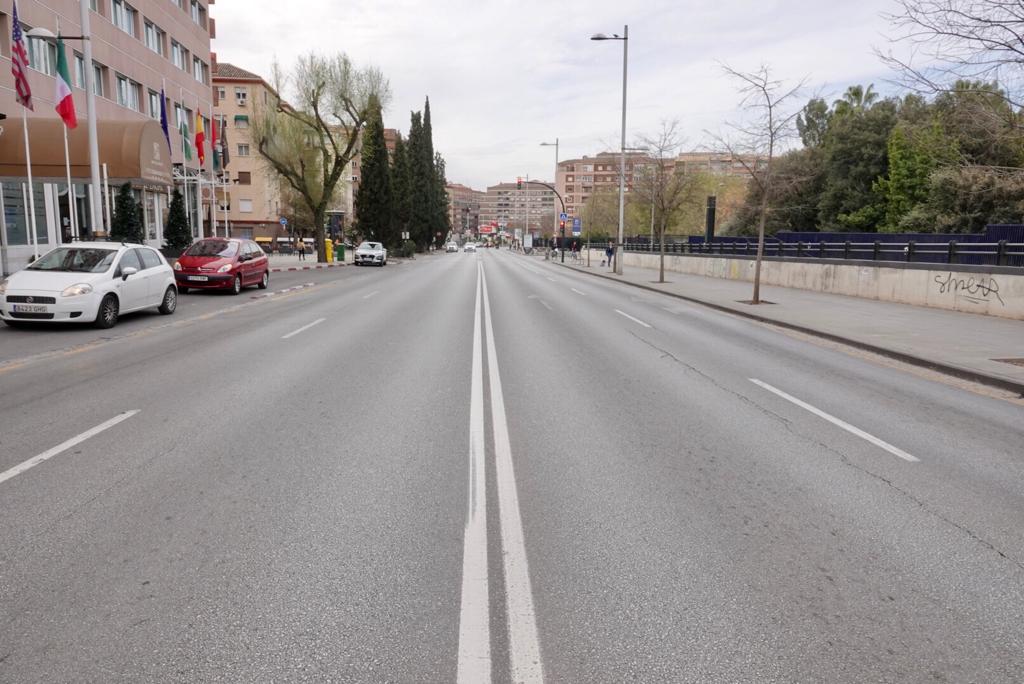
475, 614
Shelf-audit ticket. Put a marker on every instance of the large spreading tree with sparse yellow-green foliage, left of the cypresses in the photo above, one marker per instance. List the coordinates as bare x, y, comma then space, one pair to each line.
311, 144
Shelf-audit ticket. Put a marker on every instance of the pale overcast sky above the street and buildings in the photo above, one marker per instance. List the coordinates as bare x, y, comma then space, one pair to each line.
505, 76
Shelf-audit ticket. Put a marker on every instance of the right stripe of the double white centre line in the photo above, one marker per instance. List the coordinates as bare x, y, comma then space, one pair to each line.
525, 650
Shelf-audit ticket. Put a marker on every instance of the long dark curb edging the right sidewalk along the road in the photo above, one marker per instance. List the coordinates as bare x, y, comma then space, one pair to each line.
948, 369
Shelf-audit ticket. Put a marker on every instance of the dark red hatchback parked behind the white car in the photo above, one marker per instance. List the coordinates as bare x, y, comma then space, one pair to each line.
223, 264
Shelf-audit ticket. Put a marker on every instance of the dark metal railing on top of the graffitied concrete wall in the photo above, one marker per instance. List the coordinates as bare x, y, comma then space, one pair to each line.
1002, 253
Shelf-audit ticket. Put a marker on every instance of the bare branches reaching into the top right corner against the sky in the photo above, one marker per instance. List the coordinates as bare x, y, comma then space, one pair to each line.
975, 40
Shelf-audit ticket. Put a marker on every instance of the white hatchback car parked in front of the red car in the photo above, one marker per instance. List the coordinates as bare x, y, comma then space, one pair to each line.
90, 282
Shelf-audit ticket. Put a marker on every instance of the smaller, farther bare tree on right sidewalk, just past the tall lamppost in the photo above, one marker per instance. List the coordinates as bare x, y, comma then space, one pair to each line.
663, 183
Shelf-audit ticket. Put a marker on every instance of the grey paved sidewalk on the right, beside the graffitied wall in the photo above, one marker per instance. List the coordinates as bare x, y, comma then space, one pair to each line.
966, 346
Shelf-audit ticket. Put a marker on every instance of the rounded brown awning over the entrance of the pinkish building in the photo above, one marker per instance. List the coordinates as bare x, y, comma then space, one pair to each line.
133, 151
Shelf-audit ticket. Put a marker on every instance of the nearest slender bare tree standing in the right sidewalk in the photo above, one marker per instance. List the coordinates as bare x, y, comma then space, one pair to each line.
755, 143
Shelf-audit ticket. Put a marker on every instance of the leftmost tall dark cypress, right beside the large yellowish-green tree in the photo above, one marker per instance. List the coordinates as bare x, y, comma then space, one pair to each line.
374, 202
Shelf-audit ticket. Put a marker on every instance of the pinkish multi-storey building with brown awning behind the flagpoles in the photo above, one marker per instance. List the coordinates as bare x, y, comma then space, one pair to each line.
139, 48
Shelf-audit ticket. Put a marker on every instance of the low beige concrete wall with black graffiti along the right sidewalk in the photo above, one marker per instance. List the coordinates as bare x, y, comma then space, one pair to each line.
992, 292
